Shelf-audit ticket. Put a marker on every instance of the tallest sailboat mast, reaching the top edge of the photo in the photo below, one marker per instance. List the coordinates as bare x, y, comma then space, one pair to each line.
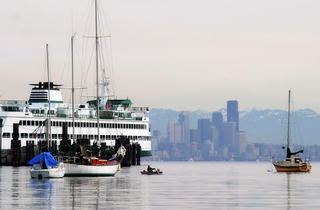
97, 69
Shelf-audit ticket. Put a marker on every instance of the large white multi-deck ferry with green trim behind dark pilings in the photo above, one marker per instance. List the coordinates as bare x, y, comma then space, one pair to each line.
116, 117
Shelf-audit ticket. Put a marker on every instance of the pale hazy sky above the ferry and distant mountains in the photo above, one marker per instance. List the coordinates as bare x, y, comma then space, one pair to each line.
180, 54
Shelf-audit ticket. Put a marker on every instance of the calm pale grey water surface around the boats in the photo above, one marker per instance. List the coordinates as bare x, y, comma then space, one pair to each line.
184, 185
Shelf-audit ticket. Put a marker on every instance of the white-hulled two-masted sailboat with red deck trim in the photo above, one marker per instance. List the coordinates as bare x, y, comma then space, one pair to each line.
86, 165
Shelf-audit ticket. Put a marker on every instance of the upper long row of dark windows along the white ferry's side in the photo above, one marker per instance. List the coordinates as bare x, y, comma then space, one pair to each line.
84, 124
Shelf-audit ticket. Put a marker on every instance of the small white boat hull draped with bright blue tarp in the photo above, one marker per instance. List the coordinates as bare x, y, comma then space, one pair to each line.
45, 166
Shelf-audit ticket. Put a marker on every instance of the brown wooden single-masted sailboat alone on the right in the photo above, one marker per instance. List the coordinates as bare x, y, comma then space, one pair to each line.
292, 163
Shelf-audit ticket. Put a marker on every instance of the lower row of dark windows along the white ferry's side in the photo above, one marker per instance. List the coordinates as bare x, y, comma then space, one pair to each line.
77, 136
